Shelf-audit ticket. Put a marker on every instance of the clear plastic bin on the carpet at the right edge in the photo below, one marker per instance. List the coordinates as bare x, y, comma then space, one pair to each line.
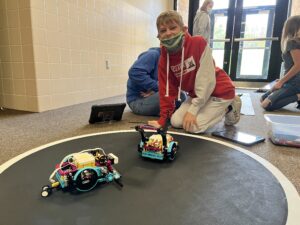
284, 129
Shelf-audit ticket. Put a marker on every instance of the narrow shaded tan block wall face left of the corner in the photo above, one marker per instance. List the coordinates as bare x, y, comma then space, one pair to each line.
16, 58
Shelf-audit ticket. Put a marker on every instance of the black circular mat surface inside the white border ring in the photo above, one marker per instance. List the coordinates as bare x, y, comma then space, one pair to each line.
208, 183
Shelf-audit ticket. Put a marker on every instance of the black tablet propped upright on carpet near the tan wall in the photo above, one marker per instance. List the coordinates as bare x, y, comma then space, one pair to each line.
106, 113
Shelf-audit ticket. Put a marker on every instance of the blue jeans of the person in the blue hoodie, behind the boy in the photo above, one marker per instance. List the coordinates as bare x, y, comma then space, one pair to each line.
149, 106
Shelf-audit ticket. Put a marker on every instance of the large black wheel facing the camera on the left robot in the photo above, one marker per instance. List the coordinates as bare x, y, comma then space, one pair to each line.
85, 179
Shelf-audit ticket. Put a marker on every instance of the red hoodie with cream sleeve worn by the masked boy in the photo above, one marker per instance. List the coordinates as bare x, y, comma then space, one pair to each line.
200, 78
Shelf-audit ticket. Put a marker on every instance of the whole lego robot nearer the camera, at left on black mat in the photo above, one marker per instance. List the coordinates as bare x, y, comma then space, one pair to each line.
82, 171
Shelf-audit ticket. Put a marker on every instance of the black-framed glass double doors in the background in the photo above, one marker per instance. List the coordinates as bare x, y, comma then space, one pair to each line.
245, 36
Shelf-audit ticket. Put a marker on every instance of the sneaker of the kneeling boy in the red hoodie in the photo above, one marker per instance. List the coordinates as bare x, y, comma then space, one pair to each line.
234, 113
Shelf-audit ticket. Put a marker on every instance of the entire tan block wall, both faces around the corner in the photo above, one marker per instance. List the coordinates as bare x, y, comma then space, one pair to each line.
56, 53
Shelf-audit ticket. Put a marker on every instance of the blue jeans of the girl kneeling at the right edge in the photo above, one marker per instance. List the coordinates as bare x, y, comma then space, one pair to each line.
281, 97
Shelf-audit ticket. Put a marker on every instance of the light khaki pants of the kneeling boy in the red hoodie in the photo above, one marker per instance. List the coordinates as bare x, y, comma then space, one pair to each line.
209, 115
